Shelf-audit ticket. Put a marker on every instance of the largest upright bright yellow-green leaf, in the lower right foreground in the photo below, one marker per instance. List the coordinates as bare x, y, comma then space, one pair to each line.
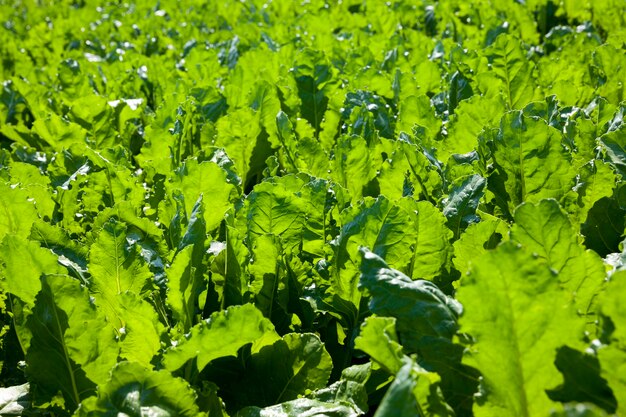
530, 318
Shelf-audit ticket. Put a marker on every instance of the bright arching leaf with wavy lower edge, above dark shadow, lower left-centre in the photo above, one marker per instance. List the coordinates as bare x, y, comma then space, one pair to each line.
221, 335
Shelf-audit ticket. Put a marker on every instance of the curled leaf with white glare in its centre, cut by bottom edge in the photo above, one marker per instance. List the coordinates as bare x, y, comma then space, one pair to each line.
135, 391
